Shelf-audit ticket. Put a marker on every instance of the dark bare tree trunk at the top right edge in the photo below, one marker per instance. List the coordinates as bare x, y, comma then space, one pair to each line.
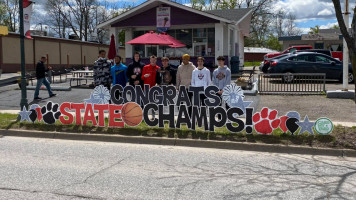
350, 40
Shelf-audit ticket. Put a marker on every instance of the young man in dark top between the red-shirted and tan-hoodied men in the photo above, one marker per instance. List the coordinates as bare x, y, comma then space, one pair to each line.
166, 75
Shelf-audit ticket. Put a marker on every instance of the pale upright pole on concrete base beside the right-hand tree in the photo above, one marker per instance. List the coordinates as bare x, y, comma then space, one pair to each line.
345, 80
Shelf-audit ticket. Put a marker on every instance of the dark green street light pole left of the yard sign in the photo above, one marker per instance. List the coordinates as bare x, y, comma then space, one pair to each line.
23, 73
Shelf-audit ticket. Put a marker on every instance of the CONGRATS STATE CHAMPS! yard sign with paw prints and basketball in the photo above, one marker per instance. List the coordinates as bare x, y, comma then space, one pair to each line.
132, 105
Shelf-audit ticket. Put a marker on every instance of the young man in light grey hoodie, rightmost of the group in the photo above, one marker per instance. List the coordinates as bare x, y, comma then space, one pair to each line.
221, 76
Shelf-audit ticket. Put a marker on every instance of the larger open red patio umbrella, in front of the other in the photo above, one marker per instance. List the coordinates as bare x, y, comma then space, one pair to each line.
150, 38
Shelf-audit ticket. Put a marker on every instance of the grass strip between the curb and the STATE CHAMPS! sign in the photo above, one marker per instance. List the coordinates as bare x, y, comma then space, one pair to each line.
340, 138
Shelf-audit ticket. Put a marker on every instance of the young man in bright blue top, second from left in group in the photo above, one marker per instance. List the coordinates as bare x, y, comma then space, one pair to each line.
118, 72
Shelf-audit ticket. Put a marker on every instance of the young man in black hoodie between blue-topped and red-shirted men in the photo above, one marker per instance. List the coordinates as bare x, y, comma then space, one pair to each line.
134, 71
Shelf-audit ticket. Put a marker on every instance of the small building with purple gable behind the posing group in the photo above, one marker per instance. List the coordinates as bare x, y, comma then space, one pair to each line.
206, 33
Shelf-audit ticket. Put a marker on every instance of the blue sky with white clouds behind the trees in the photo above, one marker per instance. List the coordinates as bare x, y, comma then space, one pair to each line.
309, 13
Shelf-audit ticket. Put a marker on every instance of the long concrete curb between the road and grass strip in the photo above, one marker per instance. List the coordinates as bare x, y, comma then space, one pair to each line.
181, 142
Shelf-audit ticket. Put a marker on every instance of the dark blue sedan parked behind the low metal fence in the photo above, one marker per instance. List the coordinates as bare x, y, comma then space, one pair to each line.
308, 62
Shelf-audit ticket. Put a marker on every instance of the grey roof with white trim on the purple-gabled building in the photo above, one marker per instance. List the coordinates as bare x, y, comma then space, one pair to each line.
229, 16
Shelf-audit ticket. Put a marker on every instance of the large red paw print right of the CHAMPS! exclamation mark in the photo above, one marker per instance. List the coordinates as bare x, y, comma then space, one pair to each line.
266, 121
